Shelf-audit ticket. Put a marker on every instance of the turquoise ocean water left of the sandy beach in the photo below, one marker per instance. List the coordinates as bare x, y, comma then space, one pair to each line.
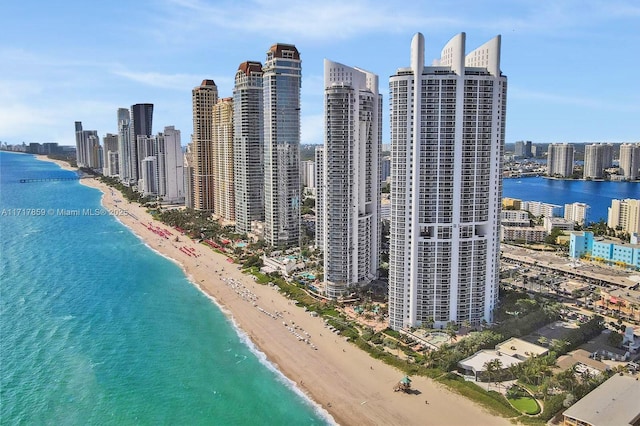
96, 328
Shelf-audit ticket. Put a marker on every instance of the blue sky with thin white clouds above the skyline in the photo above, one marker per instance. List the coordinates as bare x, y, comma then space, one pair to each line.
572, 65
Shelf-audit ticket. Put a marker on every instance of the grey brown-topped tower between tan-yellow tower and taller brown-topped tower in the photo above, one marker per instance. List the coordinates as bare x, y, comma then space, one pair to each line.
248, 146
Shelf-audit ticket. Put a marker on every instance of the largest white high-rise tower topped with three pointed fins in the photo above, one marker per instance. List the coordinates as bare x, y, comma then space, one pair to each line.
447, 137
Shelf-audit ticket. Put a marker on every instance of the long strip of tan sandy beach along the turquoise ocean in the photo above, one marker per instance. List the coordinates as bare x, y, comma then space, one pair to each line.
339, 378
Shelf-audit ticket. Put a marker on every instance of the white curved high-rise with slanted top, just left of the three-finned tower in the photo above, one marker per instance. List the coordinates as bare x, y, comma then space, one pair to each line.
350, 178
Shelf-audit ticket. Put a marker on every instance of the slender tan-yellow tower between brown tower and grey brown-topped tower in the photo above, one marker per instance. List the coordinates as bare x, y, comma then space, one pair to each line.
222, 136
